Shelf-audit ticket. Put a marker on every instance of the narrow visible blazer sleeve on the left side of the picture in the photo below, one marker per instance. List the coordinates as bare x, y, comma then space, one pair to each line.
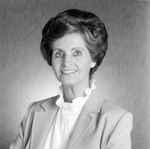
19, 142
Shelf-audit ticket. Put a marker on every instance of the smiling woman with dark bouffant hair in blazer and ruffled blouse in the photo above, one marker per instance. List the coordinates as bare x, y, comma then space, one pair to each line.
74, 43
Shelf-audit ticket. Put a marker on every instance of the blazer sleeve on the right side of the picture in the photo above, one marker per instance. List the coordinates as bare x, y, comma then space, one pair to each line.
120, 137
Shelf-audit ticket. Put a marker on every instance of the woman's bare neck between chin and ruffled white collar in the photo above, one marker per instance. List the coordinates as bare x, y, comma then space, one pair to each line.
72, 92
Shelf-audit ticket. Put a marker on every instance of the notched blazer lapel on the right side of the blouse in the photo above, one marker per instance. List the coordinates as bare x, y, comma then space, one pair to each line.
92, 105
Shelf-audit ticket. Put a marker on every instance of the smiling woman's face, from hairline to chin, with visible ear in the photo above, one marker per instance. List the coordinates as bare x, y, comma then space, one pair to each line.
71, 60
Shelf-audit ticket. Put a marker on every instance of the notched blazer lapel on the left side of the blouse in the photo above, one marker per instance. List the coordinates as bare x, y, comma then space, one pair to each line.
42, 123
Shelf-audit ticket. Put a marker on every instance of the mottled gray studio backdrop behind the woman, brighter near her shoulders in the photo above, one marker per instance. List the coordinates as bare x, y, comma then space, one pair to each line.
124, 76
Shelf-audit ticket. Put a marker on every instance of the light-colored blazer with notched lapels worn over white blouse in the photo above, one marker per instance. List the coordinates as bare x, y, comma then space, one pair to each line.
101, 125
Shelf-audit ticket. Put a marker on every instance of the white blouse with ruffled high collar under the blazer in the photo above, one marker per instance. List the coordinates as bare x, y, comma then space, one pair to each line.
64, 123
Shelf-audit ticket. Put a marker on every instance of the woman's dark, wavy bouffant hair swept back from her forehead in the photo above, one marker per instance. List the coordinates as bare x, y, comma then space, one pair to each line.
91, 28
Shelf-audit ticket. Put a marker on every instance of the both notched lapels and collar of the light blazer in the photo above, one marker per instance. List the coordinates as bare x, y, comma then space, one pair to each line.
43, 119
